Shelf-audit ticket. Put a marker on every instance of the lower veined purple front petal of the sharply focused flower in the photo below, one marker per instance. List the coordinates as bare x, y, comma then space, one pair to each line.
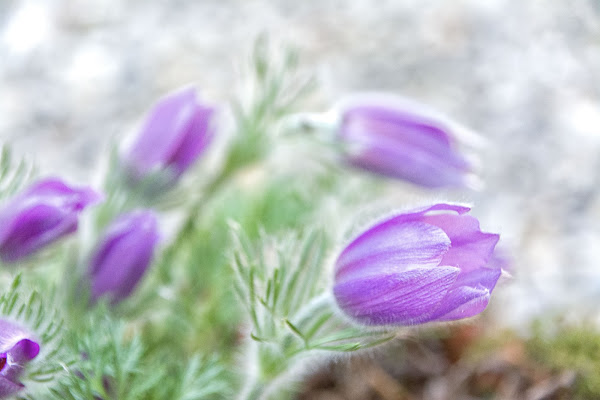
401, 299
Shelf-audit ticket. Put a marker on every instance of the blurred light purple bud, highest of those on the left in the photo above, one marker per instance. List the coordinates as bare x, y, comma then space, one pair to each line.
174, 135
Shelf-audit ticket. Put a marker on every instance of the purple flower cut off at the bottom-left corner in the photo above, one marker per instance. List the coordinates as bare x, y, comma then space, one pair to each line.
17, 348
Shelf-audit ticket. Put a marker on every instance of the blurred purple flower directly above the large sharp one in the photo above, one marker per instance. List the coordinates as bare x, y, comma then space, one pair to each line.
401, 139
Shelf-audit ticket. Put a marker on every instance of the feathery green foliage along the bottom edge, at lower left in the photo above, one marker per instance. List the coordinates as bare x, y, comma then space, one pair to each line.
115, 364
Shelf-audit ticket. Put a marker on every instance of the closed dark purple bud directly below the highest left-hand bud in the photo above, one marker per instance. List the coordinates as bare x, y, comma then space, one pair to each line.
123, 255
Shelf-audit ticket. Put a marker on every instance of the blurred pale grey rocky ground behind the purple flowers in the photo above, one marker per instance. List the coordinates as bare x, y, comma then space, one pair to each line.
524, 74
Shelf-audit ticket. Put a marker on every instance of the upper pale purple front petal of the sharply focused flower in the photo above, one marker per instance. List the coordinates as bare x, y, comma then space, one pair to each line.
392, 247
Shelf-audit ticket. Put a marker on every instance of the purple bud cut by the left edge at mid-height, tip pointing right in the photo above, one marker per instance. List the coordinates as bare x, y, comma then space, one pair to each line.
41, 215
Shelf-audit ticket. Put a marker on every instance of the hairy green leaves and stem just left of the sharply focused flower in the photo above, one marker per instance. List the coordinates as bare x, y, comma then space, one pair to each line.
281, 284
